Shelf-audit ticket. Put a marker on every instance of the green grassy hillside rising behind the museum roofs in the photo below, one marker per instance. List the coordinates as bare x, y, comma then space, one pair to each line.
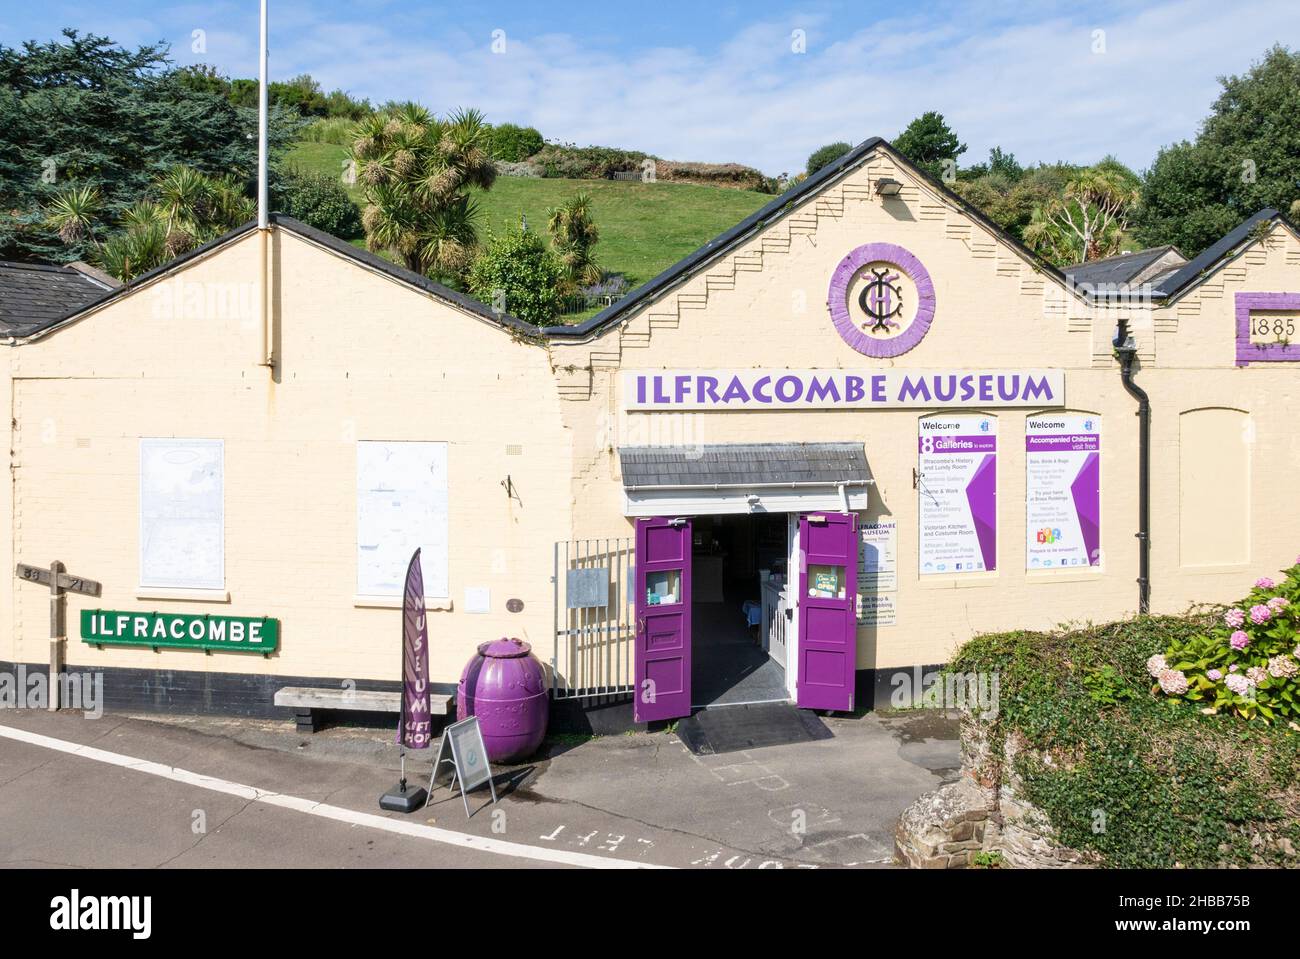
644, 227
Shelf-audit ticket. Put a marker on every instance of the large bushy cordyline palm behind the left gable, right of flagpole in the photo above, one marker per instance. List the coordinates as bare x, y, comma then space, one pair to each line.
418, 171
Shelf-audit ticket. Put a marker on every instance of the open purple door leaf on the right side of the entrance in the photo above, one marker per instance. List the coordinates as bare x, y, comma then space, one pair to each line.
829, 618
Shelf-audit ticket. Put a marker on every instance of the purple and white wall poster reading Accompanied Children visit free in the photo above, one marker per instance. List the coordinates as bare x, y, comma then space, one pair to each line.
1063, 492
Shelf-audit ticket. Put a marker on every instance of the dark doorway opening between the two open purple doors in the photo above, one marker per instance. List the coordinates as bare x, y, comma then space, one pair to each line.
740, 567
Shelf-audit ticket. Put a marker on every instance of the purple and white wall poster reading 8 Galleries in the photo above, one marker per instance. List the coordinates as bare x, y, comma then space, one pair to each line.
959, 494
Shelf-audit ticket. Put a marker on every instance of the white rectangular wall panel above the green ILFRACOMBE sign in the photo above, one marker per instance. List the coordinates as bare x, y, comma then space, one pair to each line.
183, 514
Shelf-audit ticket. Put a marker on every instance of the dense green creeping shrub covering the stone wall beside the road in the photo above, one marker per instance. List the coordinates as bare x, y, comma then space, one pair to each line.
1145, 782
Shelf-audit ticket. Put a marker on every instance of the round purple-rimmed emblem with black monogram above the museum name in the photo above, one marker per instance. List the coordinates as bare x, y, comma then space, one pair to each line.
882, 300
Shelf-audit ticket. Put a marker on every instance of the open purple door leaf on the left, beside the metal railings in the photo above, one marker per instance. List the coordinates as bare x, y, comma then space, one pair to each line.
662, 652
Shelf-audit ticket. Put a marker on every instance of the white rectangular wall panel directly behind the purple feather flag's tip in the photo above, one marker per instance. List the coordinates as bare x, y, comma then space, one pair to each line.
401, 506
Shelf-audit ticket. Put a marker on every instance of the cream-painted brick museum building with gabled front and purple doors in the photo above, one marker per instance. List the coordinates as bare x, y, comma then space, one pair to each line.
868, 423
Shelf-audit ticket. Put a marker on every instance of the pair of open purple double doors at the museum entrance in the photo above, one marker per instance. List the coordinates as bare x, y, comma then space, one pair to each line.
827, 602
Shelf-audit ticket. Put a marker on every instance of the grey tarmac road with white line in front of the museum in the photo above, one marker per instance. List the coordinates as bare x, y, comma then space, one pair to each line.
201, 792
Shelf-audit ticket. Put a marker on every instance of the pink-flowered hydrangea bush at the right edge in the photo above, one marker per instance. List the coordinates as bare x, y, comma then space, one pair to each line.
1247, 663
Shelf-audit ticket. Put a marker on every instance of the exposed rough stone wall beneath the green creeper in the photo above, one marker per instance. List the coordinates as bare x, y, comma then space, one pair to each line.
982, 812
